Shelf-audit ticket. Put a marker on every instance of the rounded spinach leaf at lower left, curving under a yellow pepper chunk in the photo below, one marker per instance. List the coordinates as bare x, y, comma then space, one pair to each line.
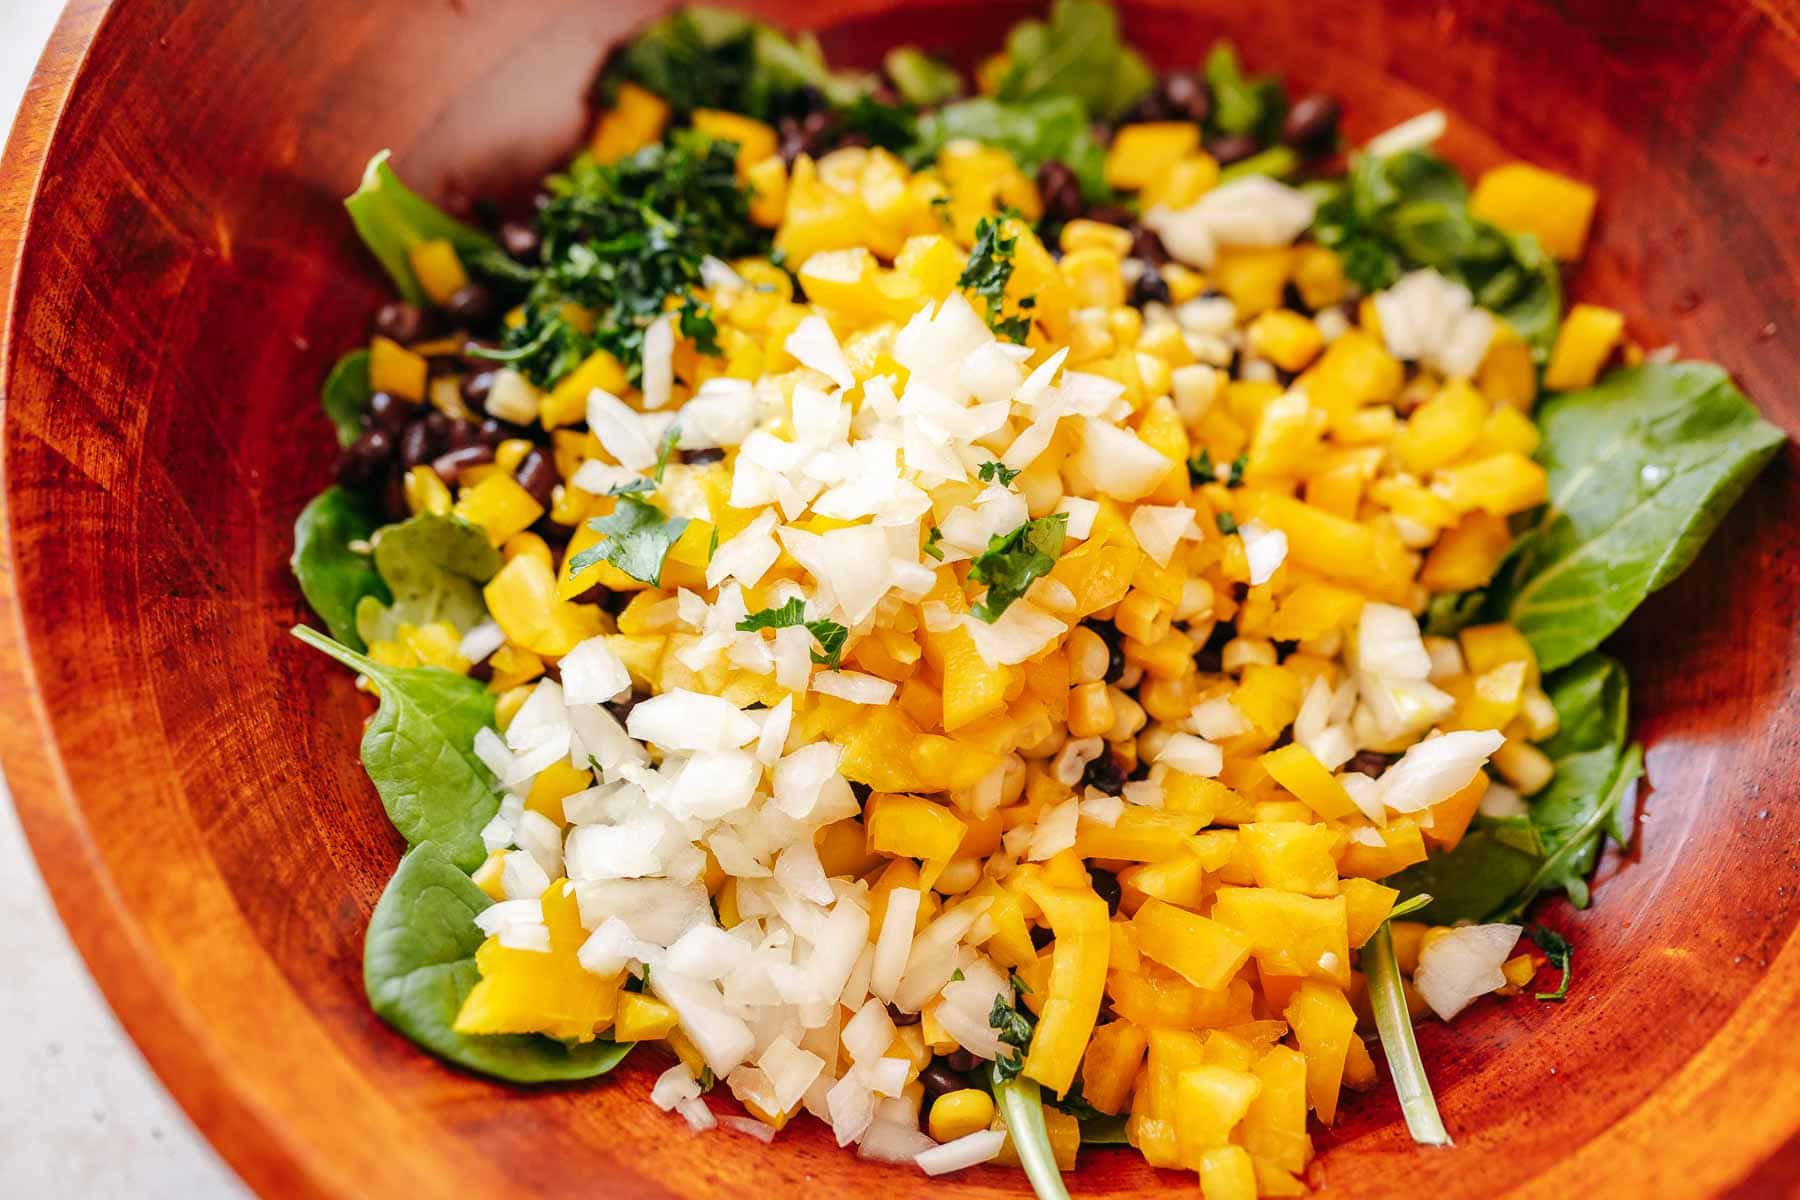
418, 965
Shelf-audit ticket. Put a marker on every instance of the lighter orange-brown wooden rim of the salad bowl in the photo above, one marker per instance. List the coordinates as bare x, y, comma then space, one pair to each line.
183, 1053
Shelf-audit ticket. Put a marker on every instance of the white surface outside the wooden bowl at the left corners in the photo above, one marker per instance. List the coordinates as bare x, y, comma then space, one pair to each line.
82, 1118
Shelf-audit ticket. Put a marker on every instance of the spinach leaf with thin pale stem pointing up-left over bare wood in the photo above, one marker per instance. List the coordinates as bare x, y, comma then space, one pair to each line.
420, 751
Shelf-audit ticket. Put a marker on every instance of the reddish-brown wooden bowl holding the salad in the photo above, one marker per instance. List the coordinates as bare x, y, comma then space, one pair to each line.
179, 276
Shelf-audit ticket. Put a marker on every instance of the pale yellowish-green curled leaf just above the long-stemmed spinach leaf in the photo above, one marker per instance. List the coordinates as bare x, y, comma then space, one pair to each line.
435, 568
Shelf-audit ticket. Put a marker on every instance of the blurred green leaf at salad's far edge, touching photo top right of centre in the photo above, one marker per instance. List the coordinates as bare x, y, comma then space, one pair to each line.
1077, 53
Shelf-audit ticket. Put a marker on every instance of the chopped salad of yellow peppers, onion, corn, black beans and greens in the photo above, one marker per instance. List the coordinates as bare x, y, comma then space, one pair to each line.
994, 614
